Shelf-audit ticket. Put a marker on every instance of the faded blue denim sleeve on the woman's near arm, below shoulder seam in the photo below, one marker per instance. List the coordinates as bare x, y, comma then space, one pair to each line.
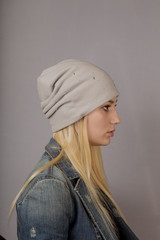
45, 211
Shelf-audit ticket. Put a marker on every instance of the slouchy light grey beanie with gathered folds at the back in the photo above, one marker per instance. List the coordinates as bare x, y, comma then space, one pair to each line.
71, 89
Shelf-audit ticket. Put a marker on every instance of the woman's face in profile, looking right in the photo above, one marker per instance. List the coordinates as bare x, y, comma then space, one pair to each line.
101, 123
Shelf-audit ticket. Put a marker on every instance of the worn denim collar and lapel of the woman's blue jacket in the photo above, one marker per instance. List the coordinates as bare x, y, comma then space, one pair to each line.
53, 149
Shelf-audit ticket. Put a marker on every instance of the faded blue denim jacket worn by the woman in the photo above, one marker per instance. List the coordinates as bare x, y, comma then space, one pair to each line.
56, 206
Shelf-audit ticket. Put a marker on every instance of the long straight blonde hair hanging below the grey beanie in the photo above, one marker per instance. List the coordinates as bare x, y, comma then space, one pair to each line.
86, 159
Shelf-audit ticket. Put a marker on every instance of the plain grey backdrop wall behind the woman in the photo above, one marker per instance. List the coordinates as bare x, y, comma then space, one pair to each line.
121, 36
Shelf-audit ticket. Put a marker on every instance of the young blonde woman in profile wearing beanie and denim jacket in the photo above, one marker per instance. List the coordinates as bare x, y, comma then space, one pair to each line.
66, 196
